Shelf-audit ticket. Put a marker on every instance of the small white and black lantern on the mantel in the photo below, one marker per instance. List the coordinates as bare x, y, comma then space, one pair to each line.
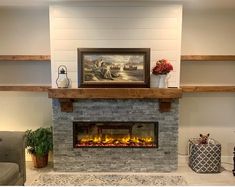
62, 80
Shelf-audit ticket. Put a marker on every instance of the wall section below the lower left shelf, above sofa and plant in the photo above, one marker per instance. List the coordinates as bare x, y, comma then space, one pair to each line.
21, 110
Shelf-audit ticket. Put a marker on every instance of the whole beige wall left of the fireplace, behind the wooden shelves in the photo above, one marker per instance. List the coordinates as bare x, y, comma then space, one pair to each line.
24, 31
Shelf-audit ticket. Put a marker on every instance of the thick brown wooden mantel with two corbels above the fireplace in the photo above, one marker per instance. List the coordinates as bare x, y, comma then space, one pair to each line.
67, 96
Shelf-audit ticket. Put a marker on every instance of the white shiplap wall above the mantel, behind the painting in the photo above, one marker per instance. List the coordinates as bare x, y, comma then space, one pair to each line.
115, 25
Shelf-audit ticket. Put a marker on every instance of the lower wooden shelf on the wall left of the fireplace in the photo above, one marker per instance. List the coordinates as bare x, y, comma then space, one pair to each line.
25, 88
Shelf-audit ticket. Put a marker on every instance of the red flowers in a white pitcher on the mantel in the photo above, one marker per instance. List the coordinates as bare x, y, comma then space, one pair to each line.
161, 69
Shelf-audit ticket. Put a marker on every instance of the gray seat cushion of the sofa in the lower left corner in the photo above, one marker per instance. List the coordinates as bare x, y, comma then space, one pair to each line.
9, 173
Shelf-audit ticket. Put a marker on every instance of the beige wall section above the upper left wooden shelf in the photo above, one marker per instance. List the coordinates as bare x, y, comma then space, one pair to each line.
24, 31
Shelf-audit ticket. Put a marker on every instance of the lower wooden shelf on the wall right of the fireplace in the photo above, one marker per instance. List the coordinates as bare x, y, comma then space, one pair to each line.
195, 89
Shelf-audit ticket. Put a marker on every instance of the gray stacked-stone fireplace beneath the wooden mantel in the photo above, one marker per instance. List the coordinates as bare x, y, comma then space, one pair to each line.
96, 115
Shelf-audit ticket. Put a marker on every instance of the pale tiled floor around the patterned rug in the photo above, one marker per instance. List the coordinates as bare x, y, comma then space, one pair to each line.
224, 178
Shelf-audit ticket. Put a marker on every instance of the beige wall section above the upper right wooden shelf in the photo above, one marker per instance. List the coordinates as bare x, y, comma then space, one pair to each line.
208, 32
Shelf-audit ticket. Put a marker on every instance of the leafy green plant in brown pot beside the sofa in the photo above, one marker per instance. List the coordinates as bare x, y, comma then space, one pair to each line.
39, 143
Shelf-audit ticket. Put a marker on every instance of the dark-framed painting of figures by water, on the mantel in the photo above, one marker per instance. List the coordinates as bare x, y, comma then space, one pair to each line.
113, 67
